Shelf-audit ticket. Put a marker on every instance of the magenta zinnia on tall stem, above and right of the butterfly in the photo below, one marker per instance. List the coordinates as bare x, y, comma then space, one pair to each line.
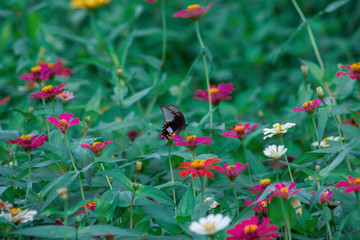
218, 94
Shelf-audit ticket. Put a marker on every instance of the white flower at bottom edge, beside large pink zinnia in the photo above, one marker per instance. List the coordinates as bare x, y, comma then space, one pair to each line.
210, 224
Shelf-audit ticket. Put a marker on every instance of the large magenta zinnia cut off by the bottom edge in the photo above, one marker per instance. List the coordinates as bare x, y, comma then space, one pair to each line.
251, 229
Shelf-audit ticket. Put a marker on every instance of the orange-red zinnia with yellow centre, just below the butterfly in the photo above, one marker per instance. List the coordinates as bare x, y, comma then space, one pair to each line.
200, 167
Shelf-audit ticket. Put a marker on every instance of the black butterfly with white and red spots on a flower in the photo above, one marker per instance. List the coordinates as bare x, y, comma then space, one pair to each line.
174, 120
